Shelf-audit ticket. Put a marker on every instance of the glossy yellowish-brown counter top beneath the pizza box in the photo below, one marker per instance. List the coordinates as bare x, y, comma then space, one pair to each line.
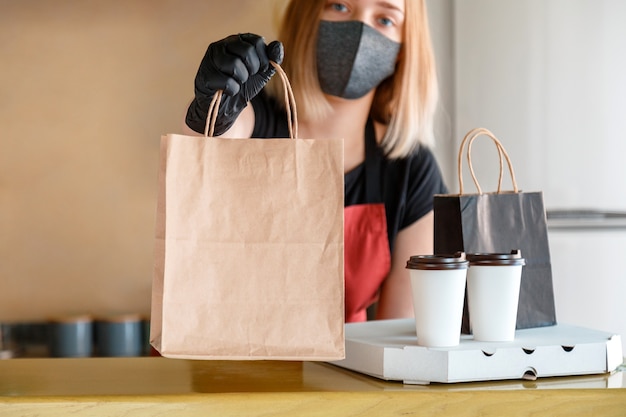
152, 386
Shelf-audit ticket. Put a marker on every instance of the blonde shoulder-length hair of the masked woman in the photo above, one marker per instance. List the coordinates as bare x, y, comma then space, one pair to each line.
405, 102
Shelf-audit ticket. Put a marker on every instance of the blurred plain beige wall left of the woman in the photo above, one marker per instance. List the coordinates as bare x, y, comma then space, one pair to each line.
87, 87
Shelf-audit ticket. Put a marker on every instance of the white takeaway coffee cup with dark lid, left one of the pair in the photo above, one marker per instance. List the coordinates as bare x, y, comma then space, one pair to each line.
438, 287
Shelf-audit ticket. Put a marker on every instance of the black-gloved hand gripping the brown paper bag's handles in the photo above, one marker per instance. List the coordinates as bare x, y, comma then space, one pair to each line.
239, 65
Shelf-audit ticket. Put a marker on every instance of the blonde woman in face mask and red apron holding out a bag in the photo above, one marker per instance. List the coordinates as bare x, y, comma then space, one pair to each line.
361, 70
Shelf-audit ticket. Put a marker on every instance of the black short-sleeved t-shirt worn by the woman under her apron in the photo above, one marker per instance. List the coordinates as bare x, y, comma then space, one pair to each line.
406, 186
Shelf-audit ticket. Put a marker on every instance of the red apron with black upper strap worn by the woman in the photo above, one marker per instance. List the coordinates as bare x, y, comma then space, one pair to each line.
367, 258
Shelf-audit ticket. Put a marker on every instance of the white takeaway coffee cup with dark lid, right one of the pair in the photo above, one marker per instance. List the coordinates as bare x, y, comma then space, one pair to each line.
493, 286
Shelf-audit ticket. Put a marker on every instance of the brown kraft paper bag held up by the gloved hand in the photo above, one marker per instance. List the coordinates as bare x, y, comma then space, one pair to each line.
249, 247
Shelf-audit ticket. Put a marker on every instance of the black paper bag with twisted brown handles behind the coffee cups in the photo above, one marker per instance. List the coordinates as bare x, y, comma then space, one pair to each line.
498, 222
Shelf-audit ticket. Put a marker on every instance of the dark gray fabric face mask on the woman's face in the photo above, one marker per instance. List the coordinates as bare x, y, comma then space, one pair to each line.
353, 58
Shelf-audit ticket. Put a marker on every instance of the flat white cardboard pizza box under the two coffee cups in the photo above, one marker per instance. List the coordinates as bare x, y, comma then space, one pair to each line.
388, 349
